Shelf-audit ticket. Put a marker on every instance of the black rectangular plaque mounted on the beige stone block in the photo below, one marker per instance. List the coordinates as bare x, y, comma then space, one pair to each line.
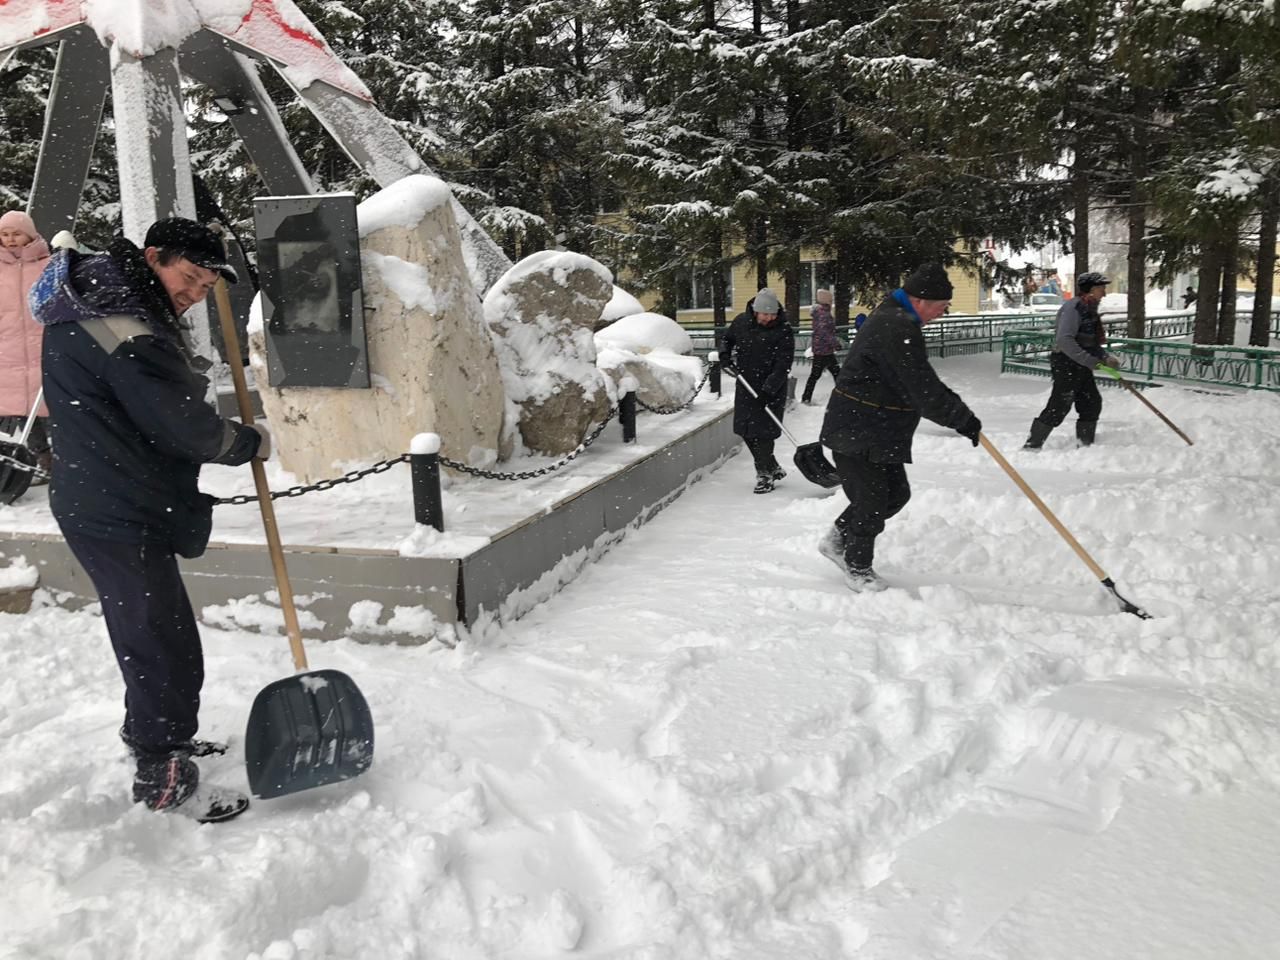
313, 309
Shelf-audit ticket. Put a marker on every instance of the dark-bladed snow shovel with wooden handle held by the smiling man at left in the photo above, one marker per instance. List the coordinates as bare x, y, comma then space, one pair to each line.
314, 728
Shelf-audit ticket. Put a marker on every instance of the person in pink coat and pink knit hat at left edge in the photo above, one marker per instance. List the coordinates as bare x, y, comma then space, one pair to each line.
24, 255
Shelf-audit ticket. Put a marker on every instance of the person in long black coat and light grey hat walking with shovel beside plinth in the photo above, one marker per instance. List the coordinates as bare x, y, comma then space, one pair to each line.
760, 346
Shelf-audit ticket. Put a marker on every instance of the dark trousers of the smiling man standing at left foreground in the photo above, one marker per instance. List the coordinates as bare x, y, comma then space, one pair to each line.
154, 636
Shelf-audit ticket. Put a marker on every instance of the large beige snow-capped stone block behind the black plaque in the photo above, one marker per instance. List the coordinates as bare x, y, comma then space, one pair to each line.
432, 359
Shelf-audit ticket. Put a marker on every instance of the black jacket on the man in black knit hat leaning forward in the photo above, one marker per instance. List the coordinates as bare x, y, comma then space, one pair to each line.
886, 386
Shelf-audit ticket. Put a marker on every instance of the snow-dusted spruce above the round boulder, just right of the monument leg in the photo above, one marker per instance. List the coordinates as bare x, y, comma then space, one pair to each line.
525, 117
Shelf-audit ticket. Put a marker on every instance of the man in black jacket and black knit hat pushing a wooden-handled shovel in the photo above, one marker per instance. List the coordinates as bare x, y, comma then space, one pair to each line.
884, 390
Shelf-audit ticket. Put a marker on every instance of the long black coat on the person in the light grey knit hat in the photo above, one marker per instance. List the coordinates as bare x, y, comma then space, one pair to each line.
762, 355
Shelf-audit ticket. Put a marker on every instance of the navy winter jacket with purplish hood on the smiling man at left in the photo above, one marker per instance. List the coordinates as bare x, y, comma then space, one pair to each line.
130, 420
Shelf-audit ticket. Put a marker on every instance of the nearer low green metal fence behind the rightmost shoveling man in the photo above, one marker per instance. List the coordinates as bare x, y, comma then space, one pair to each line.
1149, 362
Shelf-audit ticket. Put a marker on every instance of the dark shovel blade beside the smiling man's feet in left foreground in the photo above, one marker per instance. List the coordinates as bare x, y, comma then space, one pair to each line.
307, 732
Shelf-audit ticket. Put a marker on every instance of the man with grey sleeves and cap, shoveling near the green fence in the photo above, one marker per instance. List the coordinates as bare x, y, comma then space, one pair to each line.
1078, 351
